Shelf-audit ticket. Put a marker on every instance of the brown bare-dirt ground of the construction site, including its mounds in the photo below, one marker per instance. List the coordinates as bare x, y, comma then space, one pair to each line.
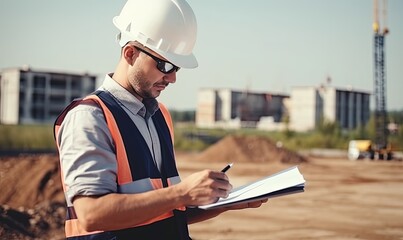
342, 200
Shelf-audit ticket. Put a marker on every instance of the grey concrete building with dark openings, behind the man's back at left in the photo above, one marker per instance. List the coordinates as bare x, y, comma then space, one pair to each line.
30, 96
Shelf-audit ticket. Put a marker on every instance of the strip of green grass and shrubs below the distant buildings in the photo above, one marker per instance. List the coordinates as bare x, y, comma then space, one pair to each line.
190, 138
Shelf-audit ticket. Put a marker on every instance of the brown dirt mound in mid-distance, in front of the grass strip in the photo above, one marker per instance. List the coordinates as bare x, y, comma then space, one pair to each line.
249, 149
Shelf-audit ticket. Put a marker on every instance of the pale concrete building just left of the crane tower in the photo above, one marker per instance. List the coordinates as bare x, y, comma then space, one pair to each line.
309, 105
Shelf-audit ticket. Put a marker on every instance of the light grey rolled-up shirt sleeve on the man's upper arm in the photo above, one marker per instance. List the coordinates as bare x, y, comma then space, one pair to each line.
88, 161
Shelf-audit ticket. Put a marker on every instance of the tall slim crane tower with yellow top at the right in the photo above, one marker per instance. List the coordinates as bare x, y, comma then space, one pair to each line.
380, 145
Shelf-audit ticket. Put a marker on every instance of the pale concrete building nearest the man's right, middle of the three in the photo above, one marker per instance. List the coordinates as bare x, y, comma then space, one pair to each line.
227, 108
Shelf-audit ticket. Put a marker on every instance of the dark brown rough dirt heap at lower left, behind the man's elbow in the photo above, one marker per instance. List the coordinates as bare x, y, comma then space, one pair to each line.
32, 202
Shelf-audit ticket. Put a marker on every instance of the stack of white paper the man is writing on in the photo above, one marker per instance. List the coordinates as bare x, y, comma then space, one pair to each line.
285, 182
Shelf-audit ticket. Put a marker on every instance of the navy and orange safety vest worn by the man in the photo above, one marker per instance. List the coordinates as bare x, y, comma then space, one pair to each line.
136, 170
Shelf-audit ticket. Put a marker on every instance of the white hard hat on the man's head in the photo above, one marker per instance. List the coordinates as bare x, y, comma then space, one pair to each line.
168, 27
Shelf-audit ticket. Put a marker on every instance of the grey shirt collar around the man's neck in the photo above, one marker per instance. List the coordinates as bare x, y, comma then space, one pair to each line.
146, 109
